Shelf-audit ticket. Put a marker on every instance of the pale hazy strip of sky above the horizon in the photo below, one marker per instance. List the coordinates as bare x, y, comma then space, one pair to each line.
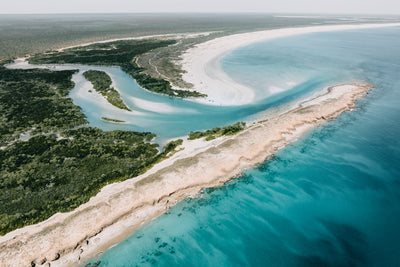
109, 6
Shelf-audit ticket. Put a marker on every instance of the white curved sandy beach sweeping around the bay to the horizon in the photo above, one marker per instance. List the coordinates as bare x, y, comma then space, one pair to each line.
201, 63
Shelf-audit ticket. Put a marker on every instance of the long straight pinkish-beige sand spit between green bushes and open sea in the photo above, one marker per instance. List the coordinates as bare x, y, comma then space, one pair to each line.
69, 239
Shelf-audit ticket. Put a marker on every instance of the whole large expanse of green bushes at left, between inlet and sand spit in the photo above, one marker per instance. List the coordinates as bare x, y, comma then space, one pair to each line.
60, 166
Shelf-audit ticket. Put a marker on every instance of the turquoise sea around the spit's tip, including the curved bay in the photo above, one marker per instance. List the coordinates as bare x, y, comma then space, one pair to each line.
330, 199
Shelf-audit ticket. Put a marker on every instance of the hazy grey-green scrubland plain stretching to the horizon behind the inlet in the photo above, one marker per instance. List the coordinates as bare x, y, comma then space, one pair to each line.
26, 34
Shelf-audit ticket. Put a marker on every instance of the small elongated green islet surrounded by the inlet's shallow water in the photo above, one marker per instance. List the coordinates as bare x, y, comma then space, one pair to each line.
102, 84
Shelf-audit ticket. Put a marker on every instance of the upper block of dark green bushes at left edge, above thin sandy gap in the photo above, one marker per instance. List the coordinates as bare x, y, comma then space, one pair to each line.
35, 101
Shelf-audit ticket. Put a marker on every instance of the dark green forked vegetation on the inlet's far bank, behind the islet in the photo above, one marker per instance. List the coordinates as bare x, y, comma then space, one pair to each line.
119, 53
